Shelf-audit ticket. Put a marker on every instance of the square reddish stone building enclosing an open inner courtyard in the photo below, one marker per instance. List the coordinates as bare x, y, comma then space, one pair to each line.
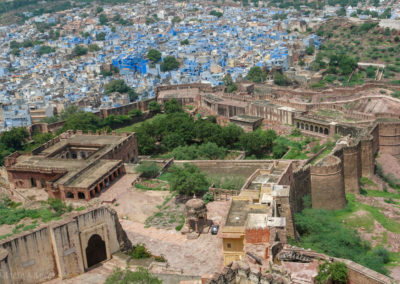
73, 165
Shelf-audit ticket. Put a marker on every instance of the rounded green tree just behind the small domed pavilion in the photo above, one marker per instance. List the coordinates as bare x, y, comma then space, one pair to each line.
188, 180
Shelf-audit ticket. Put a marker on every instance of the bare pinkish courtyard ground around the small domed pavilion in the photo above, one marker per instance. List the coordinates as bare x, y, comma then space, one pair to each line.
186, 259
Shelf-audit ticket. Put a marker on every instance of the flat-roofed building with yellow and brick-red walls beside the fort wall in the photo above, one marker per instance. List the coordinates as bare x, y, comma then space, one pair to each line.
260, 214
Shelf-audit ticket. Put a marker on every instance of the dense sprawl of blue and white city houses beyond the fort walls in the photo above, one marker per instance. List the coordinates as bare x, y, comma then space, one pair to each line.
209, 42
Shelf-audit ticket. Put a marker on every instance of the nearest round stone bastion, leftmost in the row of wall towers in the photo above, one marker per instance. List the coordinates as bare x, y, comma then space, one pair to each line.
327, 184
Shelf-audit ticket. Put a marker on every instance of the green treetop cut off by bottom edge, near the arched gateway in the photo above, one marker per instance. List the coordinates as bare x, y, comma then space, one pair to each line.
141, 275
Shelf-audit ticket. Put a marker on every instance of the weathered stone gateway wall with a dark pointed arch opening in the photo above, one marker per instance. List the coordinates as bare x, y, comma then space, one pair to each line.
62, 249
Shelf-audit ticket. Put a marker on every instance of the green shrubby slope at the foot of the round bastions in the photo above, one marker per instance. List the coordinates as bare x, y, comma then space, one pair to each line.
323, 231
